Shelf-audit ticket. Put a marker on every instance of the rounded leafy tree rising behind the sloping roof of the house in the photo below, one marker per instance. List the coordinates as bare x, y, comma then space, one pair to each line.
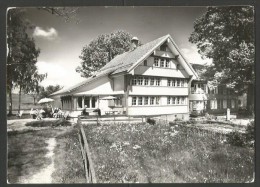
101, 50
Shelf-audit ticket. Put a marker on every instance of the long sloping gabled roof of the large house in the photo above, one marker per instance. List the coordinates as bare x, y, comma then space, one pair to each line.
126, 62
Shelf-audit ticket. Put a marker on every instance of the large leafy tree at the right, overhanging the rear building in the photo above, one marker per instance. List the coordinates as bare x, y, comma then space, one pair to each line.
226, 35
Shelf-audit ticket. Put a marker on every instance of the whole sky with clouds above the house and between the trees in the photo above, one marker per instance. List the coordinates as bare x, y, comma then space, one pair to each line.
61, 42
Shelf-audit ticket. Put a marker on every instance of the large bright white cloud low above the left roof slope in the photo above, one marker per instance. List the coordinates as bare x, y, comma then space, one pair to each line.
58, 74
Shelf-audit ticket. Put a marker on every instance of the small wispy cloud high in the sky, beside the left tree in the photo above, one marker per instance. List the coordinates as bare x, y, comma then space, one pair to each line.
49, 34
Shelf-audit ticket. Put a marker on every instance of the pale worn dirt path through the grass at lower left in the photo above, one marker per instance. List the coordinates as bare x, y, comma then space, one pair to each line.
44, 175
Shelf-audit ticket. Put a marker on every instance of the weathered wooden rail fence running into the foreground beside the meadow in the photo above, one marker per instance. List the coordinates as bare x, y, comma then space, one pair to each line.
86, 156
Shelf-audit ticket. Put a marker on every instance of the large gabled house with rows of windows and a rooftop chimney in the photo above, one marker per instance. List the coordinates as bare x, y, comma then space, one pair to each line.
151, 79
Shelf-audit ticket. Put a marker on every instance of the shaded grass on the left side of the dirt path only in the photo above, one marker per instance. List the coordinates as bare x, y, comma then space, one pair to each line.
26, 153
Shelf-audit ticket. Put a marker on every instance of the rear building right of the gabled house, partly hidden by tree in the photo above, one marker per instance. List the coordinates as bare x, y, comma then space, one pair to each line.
214, 99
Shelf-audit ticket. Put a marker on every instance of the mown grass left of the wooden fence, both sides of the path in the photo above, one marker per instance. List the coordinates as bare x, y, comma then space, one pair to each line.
27, 152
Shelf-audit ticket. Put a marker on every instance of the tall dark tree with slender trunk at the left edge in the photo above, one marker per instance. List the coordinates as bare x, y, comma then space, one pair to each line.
22, 56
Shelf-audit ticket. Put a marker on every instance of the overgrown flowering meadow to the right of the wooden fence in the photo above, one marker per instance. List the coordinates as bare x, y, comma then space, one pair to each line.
162, 153
